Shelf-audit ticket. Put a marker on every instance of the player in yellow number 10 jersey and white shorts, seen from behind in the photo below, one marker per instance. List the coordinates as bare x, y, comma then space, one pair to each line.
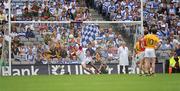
152, 43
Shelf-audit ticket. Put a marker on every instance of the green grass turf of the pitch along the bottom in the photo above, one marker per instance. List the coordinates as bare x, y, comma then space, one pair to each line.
160, 82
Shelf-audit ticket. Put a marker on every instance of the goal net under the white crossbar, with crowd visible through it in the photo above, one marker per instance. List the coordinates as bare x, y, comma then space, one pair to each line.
45, 40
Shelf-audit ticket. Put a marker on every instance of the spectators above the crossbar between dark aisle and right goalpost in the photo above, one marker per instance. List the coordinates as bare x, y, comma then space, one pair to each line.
119, 10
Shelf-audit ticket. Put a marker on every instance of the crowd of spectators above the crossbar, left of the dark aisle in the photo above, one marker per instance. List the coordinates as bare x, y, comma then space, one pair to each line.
52, 10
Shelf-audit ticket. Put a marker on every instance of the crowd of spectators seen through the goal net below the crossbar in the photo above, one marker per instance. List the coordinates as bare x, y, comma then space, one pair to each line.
58, 43
